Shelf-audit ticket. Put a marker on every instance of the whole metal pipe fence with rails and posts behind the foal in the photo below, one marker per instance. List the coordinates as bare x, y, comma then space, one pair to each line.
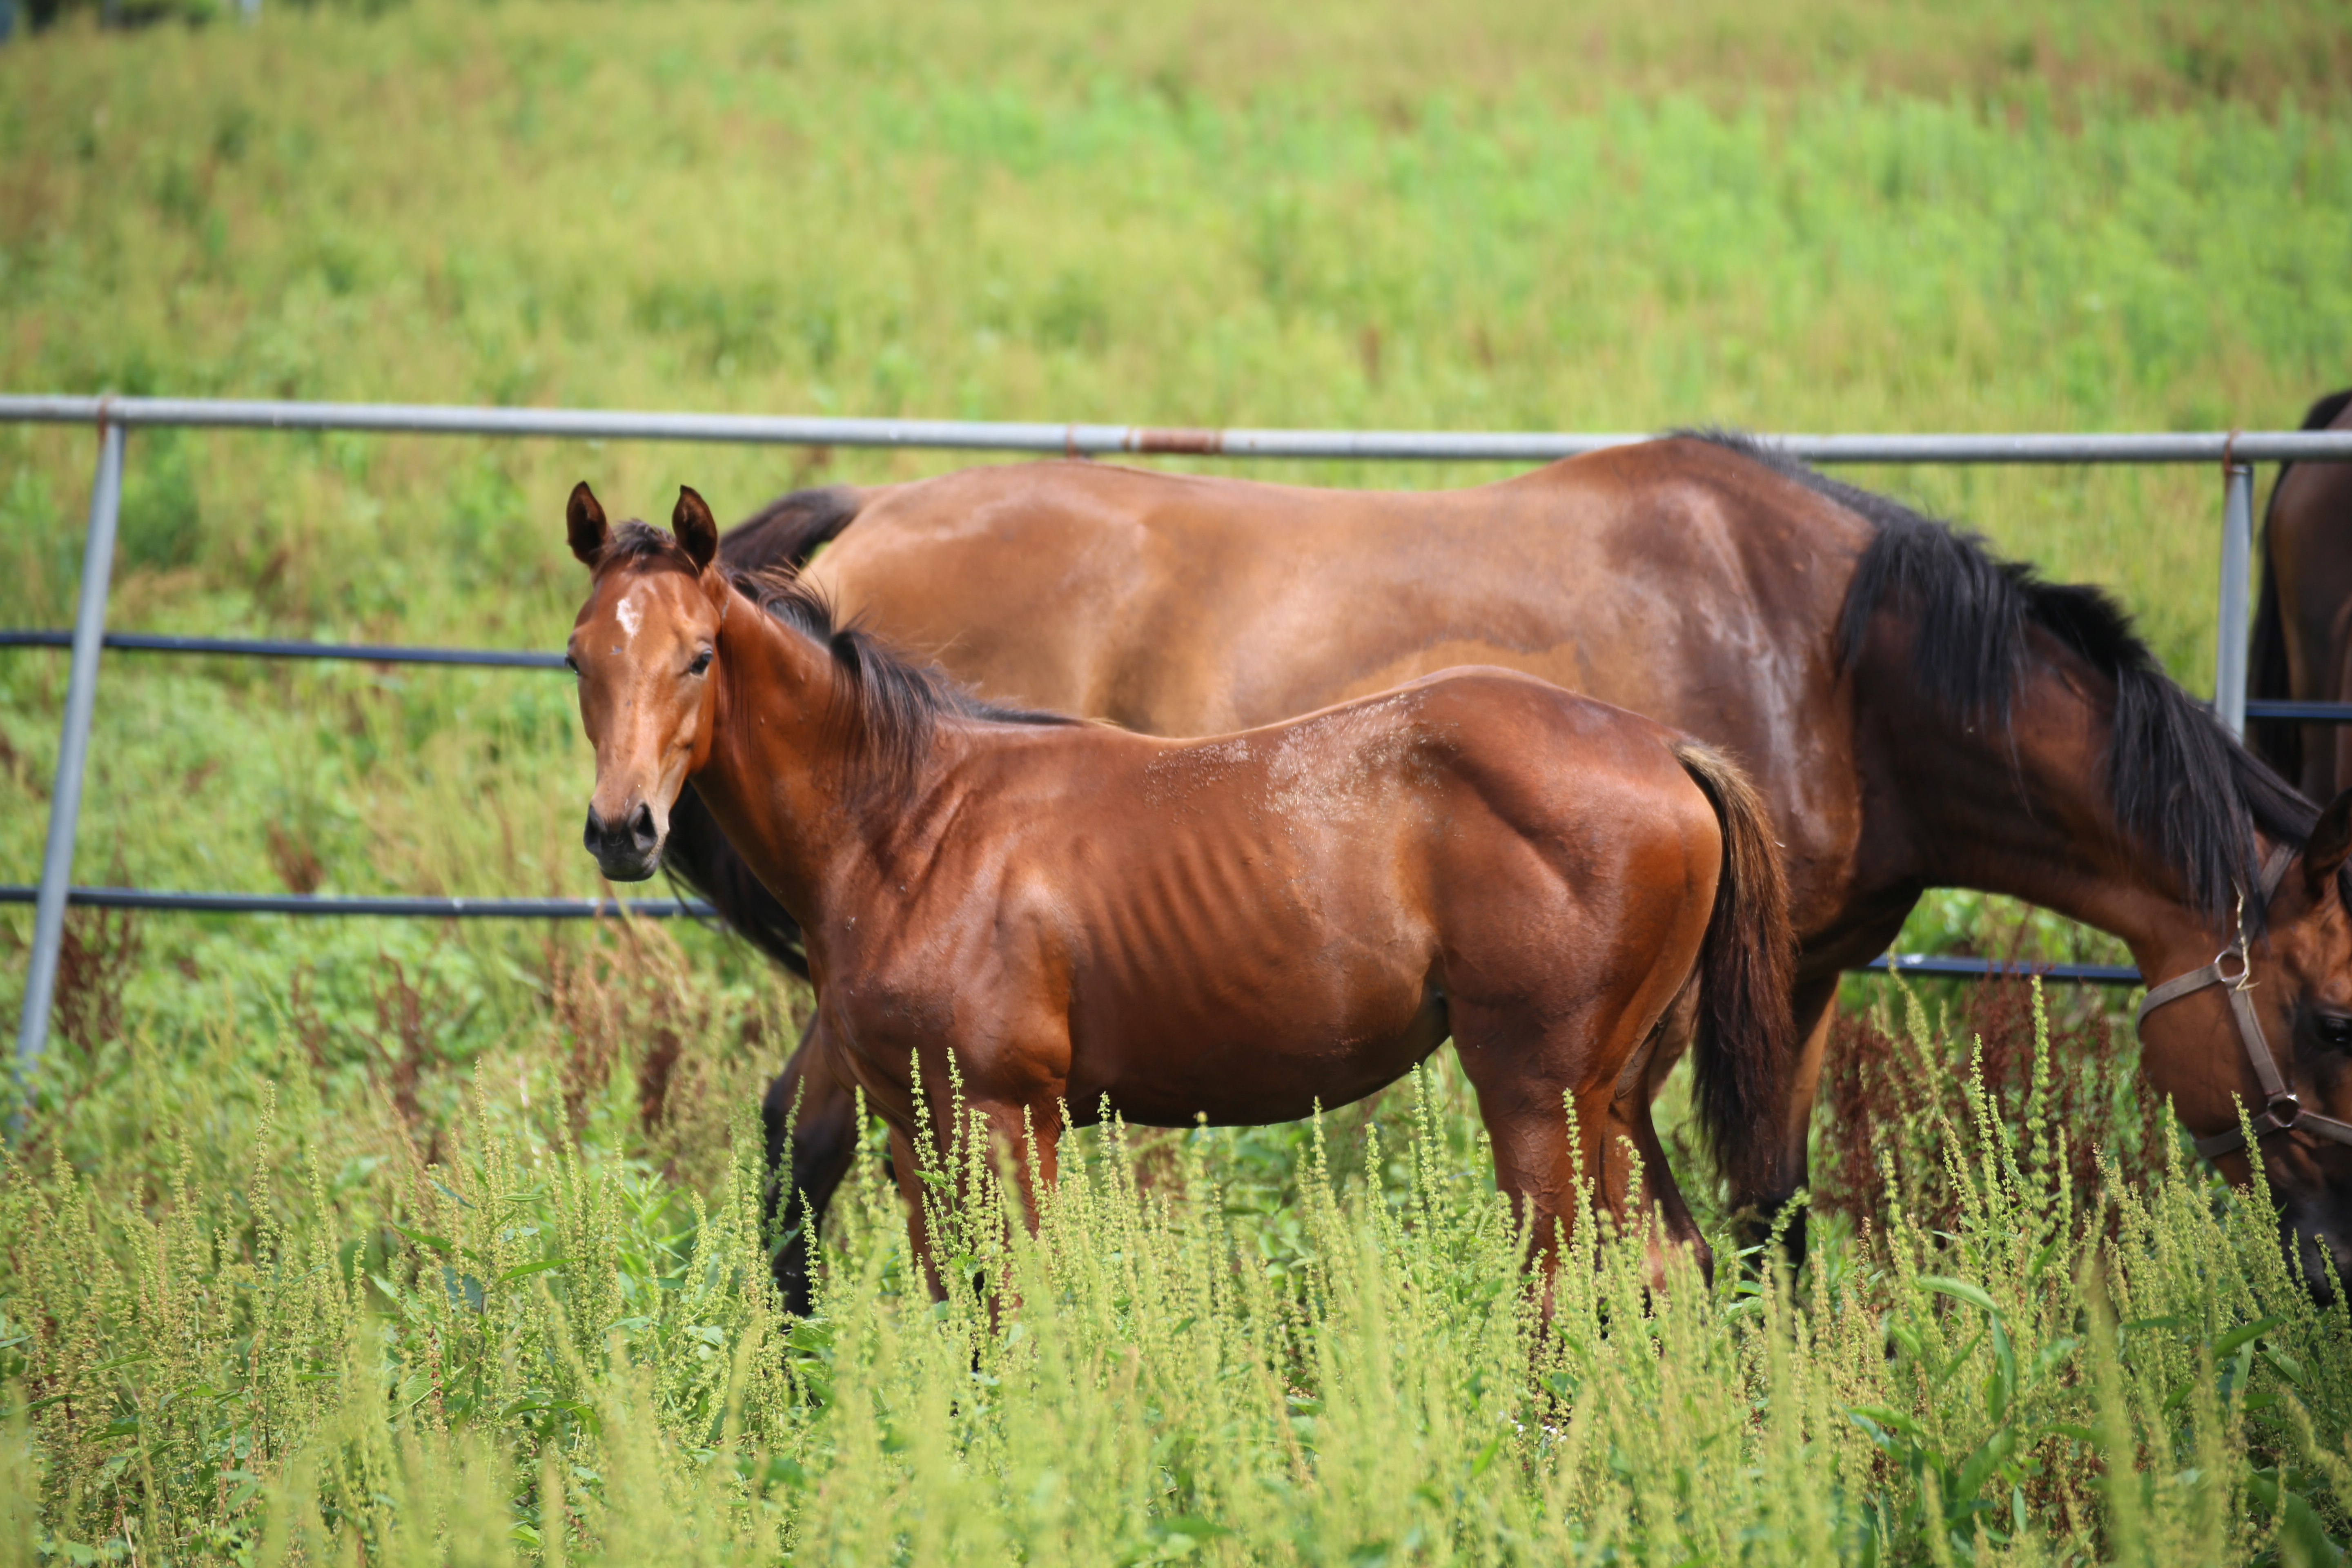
2233, 453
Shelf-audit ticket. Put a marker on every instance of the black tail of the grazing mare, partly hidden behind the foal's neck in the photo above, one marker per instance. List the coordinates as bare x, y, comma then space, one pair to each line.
787, 532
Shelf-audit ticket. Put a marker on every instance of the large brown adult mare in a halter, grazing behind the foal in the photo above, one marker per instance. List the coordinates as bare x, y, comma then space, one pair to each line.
1913, 711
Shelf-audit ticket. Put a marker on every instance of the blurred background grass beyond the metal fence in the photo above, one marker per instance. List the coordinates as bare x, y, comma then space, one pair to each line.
1789, 217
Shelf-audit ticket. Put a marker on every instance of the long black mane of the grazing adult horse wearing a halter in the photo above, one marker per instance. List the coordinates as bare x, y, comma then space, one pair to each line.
2181, 786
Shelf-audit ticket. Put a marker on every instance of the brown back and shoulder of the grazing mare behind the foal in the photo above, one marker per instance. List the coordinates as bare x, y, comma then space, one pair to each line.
1678, 579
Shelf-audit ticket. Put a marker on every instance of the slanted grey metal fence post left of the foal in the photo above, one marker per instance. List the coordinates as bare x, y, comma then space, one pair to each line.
72, 751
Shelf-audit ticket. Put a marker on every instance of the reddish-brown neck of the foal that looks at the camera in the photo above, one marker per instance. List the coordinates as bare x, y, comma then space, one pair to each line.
782, 772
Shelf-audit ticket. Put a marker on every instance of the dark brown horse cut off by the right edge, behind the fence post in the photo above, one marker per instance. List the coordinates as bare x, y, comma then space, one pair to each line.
2304, 619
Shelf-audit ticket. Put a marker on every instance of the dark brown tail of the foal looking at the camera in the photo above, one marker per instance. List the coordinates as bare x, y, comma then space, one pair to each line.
1746, 1031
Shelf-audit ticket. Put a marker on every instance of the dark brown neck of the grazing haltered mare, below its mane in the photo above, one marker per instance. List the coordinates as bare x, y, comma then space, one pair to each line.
2059, 845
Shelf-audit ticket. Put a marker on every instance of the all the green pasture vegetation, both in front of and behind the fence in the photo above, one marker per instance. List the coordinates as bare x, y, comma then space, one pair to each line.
441, 1245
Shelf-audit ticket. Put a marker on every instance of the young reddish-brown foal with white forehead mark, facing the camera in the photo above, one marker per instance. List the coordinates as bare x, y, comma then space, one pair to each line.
1231, 930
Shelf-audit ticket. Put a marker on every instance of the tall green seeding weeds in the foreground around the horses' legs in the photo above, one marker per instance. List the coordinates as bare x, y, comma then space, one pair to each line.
537, 1351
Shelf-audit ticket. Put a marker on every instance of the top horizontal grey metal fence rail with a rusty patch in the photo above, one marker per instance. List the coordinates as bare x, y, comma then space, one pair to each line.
1114, 441
